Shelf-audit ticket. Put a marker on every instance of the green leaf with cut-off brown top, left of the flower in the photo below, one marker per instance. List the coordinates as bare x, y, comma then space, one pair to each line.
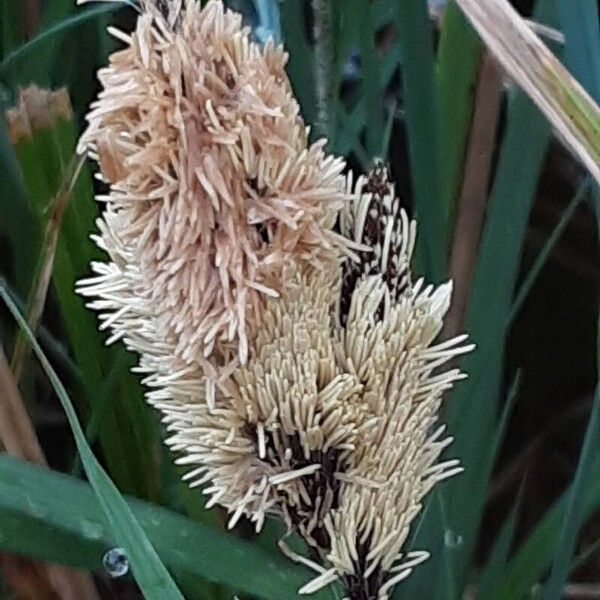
127, 433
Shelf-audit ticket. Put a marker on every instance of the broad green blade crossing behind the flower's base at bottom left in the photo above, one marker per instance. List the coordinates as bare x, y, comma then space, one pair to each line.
53, 516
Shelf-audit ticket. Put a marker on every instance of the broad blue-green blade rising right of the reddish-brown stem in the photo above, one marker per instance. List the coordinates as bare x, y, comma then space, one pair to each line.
474, 406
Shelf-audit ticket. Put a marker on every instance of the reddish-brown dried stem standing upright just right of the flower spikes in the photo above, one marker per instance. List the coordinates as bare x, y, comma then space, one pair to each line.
473, 197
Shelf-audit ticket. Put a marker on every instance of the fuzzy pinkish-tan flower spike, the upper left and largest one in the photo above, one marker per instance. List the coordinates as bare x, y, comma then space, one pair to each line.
213, 185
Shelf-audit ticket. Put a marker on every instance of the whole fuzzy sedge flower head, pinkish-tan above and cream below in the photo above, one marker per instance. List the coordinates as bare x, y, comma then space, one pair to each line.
294, 382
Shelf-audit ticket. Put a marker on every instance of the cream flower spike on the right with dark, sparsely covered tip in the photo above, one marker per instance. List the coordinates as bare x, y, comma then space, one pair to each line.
388, 340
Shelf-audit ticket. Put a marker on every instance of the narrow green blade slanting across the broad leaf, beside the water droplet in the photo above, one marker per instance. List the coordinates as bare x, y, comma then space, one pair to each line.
150, 573
